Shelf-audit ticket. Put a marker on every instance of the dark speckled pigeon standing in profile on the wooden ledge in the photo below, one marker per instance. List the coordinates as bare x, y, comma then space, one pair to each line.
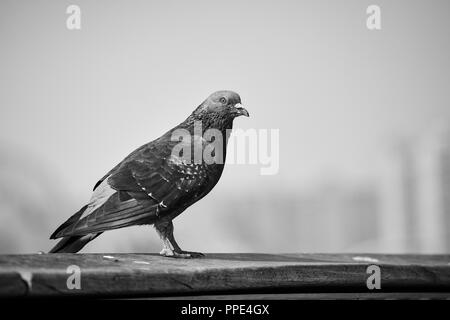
159, 180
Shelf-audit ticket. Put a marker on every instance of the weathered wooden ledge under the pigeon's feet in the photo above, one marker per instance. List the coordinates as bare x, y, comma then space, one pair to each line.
219, 276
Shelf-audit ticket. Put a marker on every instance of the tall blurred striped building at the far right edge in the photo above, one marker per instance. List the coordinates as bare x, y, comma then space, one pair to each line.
415, 194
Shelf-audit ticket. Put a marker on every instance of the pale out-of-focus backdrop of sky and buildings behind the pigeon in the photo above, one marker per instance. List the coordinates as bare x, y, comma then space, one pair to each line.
363, 118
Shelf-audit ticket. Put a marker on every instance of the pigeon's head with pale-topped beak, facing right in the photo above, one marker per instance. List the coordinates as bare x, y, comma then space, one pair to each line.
221, 107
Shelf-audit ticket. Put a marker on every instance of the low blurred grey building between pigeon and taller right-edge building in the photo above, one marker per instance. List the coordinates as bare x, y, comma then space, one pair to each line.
333, 216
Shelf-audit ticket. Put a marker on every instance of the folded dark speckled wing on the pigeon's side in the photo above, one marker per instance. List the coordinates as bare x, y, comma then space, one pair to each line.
141, 191
